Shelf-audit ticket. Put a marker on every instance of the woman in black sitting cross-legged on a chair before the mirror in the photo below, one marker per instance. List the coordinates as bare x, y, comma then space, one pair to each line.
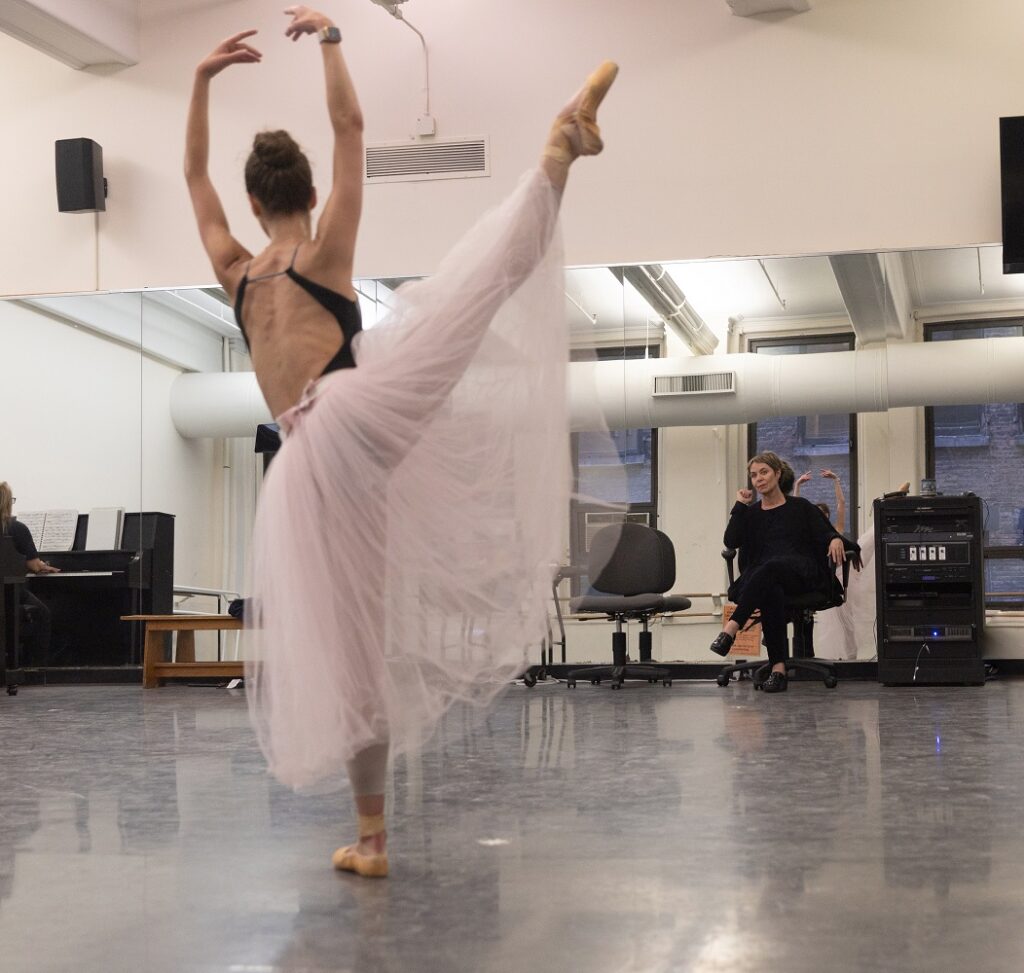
787, 545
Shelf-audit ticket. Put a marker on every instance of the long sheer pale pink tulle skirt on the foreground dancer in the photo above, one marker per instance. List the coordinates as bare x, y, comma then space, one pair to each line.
409, 528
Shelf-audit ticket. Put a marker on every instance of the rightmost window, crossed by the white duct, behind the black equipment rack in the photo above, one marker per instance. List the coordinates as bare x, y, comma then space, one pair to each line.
980, 448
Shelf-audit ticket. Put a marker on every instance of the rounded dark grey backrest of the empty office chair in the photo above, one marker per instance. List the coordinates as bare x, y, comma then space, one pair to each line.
631, 560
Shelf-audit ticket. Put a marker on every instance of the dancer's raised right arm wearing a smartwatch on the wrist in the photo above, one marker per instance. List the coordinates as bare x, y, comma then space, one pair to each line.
339, 223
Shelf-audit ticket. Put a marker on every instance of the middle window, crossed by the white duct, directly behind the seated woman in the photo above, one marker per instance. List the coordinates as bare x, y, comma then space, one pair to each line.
812, 444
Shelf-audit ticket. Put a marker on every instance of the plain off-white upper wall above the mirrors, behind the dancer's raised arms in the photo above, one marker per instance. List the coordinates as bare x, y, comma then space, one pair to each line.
858, 125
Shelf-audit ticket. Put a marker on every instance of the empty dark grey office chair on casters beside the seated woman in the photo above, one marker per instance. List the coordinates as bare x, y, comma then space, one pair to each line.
630, 567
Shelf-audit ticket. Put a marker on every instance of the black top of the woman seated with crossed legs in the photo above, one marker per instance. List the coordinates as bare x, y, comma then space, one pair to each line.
796, 531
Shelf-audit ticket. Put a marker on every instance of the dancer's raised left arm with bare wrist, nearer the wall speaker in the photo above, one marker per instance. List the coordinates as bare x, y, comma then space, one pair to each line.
227, 255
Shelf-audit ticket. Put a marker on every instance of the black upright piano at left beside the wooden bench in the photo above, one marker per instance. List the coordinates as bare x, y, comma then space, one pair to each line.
96, 588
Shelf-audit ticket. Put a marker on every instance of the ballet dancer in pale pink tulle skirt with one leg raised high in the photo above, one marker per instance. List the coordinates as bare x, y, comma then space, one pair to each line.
403, 547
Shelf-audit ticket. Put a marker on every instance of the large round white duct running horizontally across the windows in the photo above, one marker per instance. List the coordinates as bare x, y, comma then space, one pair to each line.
622, 395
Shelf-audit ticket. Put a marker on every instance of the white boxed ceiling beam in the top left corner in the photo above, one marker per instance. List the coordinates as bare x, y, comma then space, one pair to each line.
80, 33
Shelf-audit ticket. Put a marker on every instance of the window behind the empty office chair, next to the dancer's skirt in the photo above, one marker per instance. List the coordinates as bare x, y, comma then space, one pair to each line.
623, 472
